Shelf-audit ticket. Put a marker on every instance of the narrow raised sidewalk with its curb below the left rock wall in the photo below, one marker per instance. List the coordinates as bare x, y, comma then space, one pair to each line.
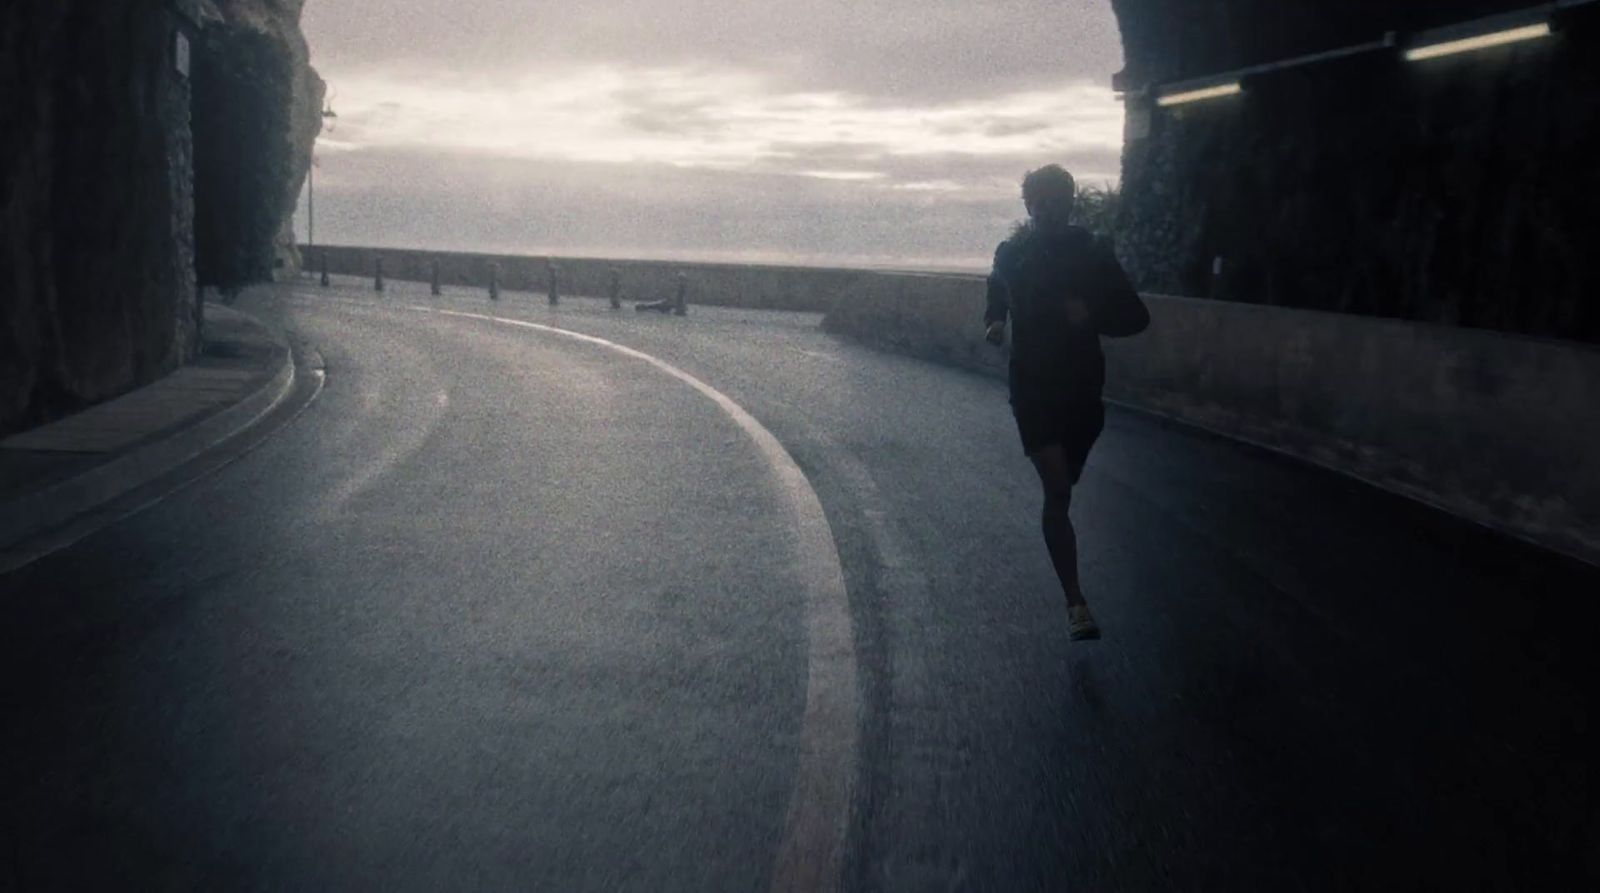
58, 473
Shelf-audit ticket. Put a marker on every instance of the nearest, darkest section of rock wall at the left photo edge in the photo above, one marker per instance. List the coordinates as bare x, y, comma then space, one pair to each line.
97, 271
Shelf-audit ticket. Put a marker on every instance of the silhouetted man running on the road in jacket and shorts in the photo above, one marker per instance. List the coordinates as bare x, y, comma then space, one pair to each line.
1063, 292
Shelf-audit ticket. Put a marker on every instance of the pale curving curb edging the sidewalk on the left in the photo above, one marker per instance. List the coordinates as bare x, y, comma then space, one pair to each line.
55, 507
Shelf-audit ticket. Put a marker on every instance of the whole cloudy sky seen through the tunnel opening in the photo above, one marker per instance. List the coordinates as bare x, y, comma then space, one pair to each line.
882, 132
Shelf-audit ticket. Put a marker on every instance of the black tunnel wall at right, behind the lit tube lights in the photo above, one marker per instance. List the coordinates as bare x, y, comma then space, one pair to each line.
1457, 191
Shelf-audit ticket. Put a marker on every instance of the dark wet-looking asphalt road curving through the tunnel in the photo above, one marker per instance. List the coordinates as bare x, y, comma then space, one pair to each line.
511, 611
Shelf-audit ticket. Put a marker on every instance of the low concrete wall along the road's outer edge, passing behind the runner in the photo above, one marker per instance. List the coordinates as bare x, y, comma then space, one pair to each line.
1500, 430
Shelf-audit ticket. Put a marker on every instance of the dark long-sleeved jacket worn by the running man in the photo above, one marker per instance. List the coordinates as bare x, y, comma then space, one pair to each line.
1034, 279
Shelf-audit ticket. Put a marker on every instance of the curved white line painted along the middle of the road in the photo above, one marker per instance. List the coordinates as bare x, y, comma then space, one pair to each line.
812, 854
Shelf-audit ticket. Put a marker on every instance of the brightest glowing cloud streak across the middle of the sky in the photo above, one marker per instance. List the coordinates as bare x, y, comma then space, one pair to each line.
713, 118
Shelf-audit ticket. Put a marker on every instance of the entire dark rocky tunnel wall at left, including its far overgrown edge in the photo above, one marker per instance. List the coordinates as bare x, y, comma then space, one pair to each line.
103, 122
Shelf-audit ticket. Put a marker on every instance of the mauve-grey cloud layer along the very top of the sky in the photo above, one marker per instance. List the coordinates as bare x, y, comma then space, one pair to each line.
897, 50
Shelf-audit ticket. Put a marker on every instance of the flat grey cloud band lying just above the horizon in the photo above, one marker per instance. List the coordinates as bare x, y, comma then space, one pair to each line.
652, 210
